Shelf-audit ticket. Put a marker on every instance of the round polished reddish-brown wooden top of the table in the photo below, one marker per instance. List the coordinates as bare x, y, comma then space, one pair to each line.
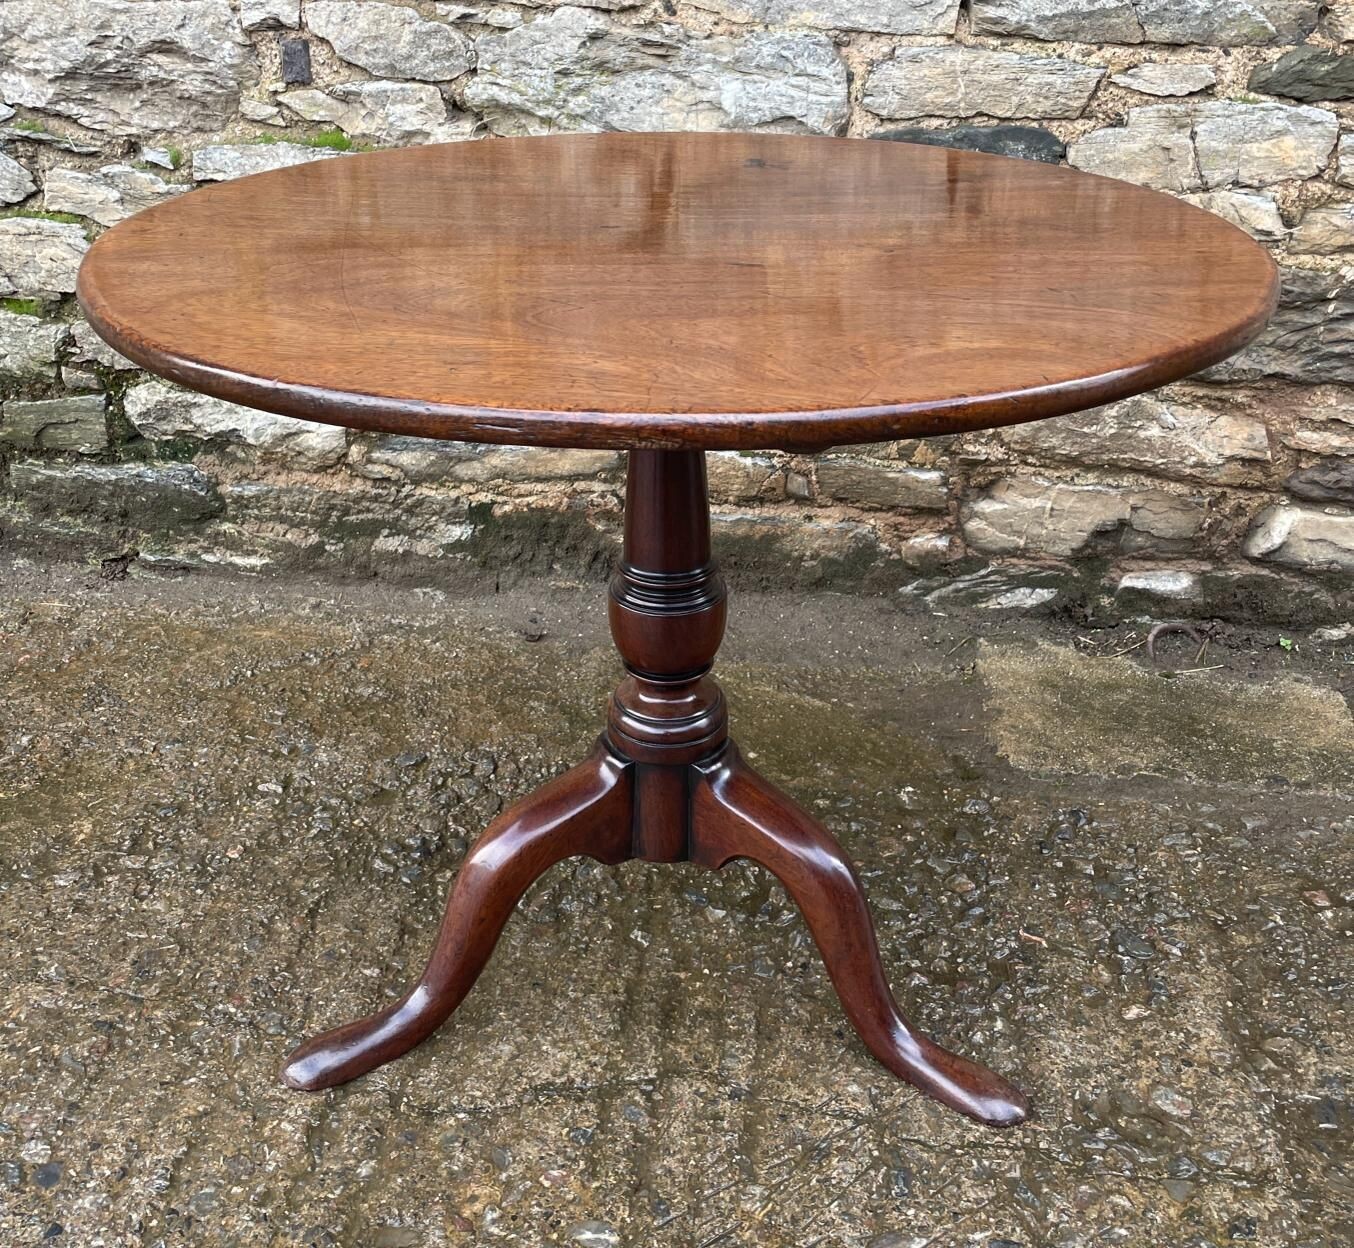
676, 290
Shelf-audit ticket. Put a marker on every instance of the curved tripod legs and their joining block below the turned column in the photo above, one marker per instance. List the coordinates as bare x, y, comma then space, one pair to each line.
594, 810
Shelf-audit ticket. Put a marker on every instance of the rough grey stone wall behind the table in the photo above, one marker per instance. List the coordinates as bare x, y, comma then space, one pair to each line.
1229, 495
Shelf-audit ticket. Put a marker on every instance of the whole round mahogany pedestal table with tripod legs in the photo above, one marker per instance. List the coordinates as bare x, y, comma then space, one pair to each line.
668, 294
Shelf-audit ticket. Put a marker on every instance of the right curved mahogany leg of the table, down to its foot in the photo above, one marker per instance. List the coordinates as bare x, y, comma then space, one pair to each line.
736, 814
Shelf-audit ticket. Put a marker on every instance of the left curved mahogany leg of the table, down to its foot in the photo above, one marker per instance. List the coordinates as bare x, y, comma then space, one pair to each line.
586, 811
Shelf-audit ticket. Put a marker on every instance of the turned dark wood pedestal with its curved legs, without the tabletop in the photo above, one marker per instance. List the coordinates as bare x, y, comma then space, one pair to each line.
664, 786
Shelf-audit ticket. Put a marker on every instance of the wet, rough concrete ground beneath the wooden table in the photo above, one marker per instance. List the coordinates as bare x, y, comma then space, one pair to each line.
230, 811
